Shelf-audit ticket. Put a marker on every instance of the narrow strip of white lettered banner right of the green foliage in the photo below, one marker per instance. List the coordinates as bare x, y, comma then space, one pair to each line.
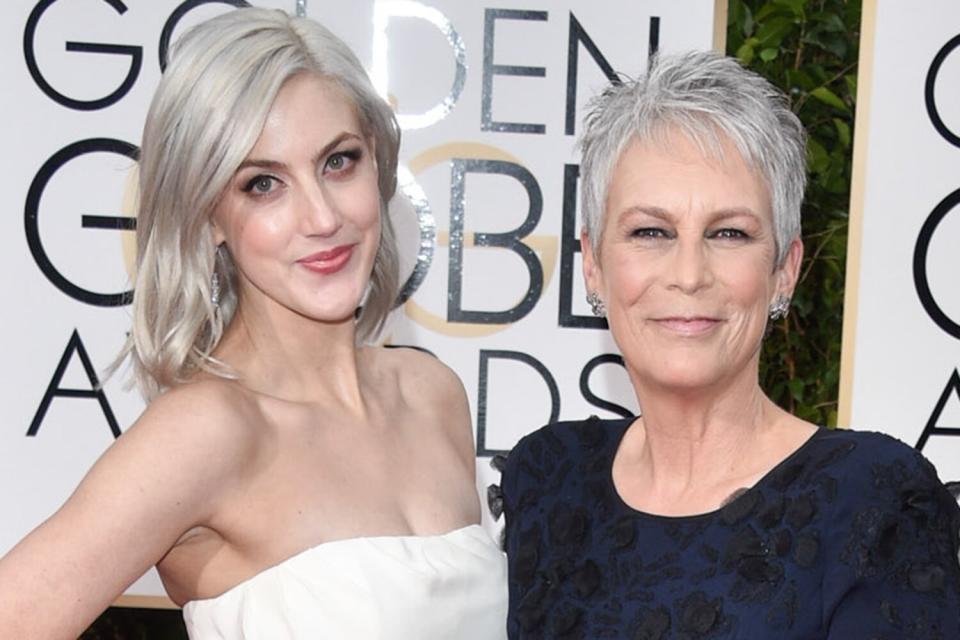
902, 311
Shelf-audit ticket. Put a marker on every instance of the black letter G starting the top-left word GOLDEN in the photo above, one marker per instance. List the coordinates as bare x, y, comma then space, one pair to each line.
135, 54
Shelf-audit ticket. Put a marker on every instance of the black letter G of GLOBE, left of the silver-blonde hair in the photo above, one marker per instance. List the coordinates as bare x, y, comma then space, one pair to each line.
32, 211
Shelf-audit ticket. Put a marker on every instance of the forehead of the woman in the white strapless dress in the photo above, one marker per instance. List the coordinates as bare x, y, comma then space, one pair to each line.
307, 109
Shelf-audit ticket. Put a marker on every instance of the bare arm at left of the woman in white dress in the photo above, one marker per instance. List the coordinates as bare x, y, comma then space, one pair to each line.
156, 481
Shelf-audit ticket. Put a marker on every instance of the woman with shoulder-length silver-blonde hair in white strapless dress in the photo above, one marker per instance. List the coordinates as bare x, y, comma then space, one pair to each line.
287, 480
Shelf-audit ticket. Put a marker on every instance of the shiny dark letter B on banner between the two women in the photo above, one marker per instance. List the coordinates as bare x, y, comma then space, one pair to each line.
511, 240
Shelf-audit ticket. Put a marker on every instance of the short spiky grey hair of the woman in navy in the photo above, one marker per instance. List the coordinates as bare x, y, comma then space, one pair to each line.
708, 98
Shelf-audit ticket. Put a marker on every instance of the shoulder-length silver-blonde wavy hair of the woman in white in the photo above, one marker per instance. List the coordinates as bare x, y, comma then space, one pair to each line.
207, 114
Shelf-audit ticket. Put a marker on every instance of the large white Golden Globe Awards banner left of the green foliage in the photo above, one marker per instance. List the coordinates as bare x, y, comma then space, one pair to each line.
490, 96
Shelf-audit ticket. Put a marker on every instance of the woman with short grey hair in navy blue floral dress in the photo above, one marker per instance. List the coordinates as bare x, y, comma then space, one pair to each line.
715, 514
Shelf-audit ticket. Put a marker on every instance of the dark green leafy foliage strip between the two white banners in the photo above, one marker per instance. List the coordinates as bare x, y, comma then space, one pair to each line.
808, 48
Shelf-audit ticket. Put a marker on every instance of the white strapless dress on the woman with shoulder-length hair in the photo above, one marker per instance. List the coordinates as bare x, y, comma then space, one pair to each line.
444, 587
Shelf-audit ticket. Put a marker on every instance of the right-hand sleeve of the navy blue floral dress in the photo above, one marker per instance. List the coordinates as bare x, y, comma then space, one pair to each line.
894, 571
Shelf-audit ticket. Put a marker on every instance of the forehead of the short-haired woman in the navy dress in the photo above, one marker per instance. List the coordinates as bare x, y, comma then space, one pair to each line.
678, 175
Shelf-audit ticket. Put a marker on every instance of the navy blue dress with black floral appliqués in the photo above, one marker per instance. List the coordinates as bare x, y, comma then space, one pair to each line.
851, 537
